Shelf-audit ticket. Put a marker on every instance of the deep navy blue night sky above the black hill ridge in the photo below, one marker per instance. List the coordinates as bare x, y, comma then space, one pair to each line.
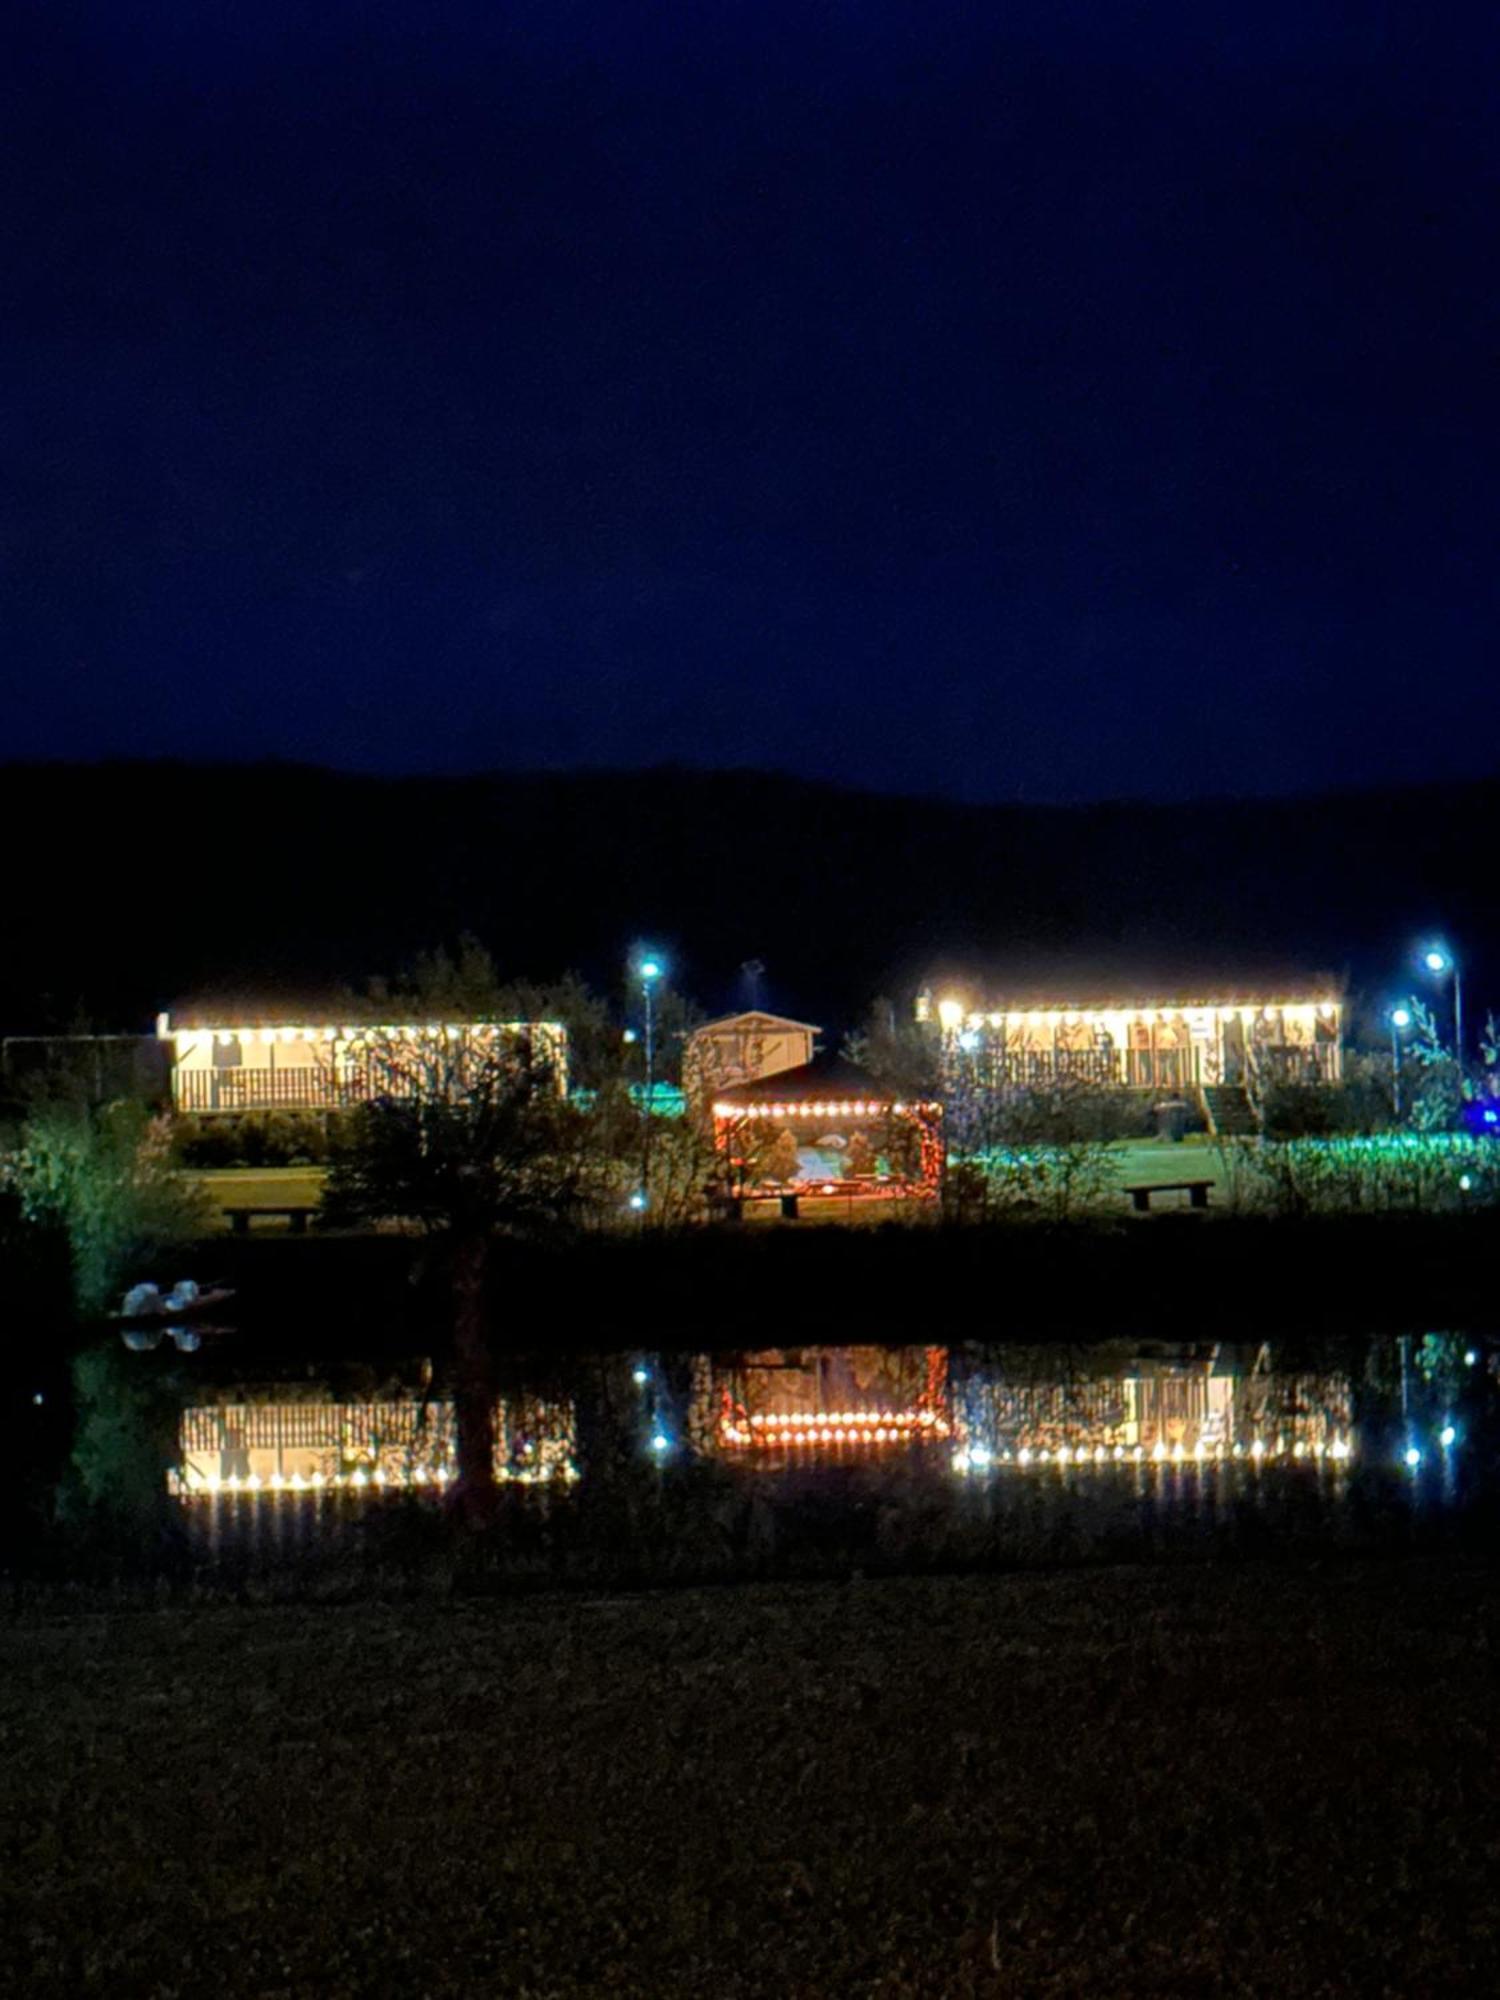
1005, 401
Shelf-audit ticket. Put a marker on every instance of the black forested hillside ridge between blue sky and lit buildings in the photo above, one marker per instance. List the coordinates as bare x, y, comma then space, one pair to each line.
135, 885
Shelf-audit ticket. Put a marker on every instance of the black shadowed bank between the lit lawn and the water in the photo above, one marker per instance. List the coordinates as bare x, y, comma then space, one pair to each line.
1165, 1277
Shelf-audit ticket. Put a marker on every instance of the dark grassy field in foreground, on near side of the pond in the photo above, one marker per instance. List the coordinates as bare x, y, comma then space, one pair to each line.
1257, 1781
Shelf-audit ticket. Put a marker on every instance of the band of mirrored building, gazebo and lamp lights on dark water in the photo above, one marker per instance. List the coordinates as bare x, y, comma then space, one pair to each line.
975, 1413
